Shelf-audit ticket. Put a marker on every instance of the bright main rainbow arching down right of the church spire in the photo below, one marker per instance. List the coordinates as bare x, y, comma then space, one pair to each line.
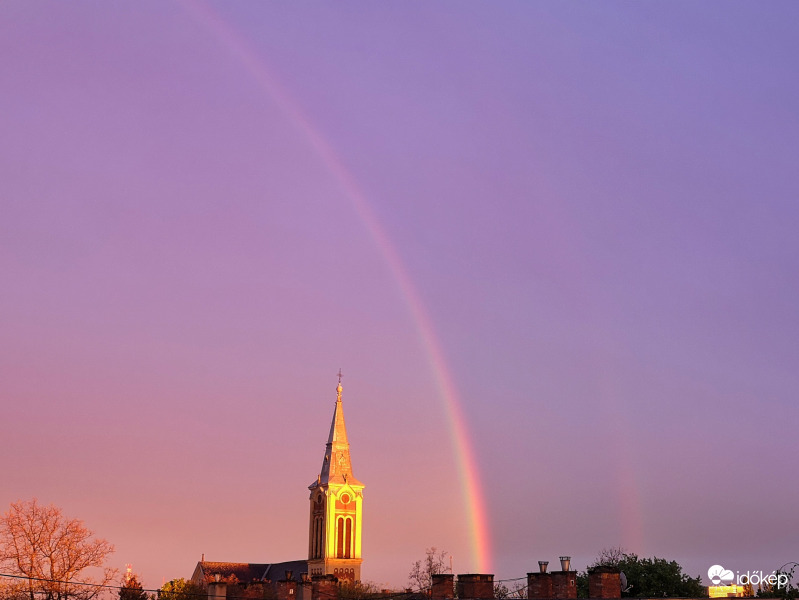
467, 466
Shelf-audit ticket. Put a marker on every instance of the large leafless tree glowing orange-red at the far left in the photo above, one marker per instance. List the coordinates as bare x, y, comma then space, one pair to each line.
51, 554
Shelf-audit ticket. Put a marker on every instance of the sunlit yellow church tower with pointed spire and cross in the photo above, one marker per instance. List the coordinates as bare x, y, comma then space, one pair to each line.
334, 537
